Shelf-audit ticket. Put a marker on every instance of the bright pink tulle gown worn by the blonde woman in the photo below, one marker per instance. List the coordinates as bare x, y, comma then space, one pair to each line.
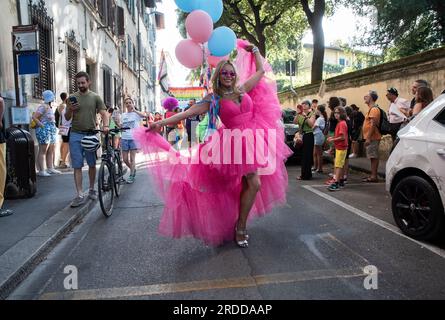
202, 194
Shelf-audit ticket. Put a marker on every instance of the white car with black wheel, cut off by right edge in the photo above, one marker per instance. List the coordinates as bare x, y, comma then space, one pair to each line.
415, 174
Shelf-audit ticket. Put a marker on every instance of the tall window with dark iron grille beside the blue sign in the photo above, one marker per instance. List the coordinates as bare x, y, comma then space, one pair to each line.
39, 17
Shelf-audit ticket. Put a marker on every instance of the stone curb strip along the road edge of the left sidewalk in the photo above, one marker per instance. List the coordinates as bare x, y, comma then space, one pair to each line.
20, 260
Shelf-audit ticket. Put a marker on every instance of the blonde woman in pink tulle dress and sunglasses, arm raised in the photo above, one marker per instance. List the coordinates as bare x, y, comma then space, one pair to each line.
239, 172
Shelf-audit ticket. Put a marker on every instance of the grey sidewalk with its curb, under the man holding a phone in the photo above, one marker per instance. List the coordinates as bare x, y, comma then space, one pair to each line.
36, 226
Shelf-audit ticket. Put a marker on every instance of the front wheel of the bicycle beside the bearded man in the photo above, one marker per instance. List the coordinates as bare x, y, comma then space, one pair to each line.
105, 189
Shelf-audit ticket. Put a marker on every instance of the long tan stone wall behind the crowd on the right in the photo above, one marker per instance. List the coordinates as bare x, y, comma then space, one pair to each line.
429, 65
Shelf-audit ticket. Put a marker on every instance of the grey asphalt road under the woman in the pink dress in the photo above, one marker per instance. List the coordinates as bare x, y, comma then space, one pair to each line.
316, 247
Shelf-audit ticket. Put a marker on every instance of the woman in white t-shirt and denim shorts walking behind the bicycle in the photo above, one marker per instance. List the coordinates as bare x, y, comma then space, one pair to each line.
131, 119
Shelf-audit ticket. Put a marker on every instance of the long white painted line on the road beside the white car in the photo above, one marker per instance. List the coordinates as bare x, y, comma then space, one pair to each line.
381, 223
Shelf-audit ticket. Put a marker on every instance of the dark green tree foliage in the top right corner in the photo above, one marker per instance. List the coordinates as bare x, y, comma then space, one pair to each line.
402, 27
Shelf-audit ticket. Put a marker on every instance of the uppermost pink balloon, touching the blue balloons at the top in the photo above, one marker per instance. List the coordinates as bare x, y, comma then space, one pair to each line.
199, 26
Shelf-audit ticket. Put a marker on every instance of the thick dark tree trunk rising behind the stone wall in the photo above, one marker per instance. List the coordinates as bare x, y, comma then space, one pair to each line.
315, 19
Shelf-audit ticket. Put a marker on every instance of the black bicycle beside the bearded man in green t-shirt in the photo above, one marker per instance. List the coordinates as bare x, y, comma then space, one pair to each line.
110, 173
